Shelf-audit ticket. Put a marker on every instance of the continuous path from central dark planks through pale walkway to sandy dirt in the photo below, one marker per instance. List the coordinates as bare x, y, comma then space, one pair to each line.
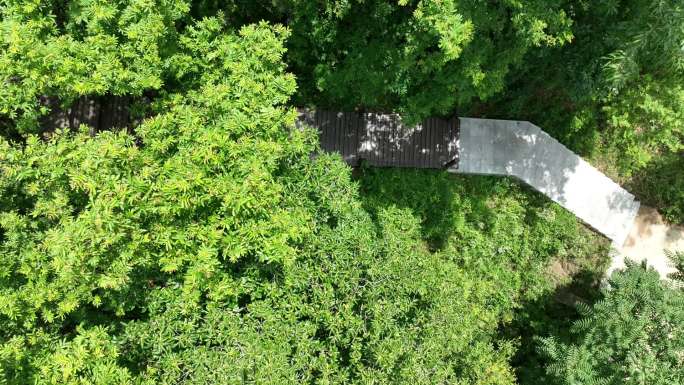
508, 148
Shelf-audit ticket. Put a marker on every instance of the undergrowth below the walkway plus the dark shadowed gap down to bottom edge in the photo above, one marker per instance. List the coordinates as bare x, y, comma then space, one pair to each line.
503, 231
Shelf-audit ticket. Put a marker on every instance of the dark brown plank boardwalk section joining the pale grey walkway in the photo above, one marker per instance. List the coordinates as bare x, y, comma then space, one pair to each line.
382, 140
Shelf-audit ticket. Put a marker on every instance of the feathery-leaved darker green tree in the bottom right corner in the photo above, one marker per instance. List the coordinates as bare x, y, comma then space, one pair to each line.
634, 335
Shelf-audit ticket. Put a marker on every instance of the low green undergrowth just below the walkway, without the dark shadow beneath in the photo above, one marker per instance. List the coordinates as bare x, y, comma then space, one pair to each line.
495, 227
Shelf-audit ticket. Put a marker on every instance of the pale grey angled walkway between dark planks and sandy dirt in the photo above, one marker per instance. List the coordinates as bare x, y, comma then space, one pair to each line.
522, 150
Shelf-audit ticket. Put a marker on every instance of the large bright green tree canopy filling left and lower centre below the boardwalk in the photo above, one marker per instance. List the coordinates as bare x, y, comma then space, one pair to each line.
207, 245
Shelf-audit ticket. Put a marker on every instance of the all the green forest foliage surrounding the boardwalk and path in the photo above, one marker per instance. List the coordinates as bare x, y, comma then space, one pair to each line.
211, 242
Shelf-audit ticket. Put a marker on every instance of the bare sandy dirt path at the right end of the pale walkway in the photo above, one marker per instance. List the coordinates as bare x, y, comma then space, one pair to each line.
648, 240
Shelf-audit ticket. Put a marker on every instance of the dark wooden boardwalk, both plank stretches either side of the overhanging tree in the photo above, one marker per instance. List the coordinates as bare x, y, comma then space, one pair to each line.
379, 139
